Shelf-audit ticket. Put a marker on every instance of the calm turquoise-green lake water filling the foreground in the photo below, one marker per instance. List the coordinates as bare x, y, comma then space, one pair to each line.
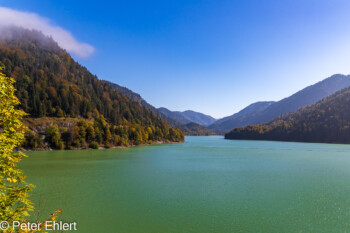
206, 184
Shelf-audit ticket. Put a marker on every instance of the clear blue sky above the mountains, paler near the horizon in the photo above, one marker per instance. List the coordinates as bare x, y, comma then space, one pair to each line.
211, 56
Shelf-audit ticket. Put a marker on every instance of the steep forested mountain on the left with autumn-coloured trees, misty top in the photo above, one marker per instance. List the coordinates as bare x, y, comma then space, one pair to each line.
51, 84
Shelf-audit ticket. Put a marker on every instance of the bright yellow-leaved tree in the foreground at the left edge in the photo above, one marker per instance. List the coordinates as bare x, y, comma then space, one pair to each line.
14, 191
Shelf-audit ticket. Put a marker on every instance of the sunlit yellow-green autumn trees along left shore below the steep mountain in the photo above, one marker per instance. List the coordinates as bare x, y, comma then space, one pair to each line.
95, 132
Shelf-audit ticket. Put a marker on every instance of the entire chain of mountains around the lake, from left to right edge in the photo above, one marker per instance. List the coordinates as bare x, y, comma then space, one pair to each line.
70, 108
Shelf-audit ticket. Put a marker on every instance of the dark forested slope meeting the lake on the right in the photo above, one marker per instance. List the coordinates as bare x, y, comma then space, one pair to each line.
326, 121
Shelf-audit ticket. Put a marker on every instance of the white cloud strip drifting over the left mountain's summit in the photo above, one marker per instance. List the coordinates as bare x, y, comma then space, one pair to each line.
64, 38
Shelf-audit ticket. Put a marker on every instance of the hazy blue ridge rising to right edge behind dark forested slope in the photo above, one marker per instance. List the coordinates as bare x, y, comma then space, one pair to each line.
308, 95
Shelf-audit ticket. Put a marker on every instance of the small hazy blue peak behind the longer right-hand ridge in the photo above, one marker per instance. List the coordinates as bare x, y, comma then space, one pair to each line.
242, 118
